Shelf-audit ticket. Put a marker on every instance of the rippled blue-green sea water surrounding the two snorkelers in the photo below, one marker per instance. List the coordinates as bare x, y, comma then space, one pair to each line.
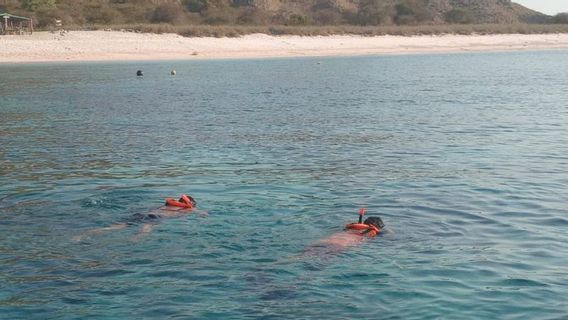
465, 157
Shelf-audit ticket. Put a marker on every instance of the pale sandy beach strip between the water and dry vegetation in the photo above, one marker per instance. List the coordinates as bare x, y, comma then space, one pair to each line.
122, 46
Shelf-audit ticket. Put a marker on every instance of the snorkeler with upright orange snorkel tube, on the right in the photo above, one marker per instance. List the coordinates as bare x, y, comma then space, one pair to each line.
352, 235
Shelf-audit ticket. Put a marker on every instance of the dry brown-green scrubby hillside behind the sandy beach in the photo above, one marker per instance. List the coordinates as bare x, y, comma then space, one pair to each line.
290, 13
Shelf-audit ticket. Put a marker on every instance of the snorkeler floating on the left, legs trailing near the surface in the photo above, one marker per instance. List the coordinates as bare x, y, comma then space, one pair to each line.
172, 209
